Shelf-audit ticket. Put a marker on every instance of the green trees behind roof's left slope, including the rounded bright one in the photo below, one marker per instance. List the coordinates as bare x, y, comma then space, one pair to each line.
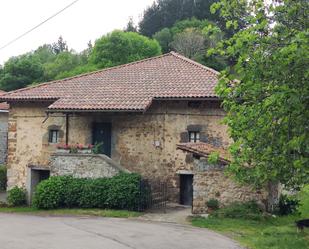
56, 61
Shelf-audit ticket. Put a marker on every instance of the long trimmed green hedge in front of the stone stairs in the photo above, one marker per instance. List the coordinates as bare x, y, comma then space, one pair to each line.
119, 192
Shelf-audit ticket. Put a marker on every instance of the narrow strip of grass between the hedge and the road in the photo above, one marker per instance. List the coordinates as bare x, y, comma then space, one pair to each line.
72, 212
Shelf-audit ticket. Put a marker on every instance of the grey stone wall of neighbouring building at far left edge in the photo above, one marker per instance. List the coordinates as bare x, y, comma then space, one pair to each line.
3, 136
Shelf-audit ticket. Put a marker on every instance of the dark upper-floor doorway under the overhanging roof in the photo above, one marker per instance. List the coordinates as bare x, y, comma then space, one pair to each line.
102, 134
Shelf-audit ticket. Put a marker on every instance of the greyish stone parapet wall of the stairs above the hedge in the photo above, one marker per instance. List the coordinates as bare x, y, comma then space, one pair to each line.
83, 165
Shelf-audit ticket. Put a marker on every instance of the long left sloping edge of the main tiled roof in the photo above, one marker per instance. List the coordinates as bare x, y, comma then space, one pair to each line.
85, 74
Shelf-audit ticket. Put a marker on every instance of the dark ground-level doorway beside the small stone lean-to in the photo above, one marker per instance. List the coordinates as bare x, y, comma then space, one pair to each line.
186, 189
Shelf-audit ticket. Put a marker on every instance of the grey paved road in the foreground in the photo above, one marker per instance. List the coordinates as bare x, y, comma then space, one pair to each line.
35, 232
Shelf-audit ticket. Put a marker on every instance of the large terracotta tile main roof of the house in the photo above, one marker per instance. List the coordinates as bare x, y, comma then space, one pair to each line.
131, 86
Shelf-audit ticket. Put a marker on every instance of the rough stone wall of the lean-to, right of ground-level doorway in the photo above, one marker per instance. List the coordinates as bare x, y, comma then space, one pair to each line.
209, 182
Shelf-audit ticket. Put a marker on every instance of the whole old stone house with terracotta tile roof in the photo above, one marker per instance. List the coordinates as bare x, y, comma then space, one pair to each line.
140, 112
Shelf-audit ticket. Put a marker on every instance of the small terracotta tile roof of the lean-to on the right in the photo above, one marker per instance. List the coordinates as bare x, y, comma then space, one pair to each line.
204, 150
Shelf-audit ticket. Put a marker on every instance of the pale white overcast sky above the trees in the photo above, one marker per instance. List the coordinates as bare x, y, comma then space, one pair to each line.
85, 20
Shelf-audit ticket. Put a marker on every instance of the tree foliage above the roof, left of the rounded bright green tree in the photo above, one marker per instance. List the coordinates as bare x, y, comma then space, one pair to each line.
48, 62
